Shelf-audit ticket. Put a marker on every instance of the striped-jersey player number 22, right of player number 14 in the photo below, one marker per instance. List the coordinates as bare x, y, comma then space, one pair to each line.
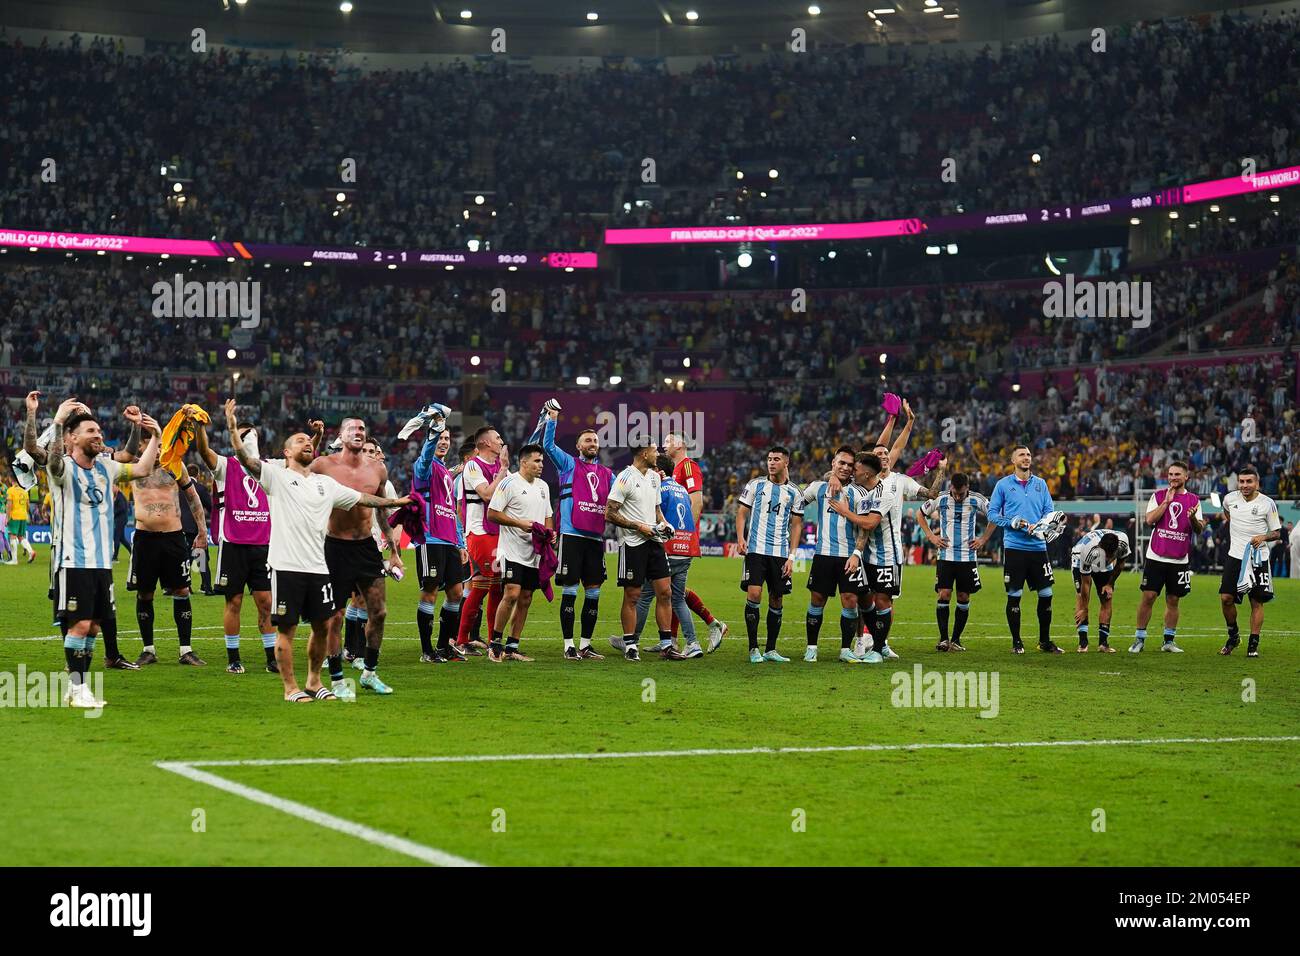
835, 538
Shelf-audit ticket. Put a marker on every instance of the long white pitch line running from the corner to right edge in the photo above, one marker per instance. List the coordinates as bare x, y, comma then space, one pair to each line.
722, 752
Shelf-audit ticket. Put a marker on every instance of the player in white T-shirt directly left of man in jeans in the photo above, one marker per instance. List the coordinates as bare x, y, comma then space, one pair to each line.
634, 508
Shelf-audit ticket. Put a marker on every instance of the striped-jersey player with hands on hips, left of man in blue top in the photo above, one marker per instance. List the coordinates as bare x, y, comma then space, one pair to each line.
957, 512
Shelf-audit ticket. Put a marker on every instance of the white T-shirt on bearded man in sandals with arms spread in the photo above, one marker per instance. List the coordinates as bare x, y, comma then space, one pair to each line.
300, 516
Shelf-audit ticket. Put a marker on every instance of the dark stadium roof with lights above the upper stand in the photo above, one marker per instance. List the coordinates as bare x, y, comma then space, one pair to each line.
565, 28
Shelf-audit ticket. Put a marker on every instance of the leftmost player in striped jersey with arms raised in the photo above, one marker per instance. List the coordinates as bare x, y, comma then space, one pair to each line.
83, 481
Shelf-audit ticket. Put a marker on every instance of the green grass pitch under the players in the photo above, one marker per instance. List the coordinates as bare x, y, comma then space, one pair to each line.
90, 793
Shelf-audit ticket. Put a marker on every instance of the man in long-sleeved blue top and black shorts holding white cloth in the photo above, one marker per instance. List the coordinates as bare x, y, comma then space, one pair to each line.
1022, 508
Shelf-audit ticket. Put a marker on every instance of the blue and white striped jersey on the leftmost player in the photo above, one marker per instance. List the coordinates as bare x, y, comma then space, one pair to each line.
85, 504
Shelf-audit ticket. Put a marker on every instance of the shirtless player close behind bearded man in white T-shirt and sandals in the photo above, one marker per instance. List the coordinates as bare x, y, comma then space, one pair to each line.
354, 560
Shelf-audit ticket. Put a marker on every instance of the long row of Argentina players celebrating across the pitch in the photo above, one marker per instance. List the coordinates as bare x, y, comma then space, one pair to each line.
306, 534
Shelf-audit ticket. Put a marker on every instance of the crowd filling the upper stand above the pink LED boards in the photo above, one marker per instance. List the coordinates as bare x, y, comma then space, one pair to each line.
261, 145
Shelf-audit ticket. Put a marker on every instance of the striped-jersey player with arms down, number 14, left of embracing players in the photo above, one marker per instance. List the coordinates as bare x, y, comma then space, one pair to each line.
768, 531
